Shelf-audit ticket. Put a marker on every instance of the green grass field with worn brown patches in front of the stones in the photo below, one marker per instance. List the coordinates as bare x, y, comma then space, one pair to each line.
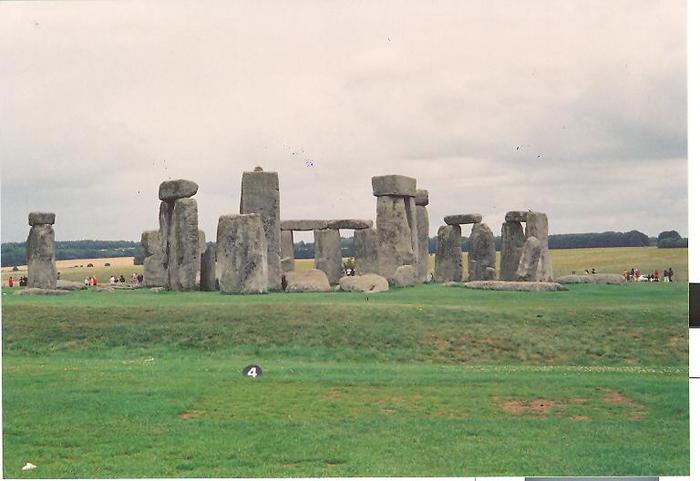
428, 380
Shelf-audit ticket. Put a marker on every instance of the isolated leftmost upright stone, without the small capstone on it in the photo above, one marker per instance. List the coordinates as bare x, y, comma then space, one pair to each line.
41, 260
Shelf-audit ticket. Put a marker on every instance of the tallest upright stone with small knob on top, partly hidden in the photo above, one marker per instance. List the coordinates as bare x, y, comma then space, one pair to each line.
260, 194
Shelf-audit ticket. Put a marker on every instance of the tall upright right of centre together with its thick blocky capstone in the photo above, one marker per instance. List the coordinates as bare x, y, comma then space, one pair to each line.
397, 237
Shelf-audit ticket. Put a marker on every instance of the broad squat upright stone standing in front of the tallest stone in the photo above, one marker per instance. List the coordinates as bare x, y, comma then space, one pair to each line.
241, 254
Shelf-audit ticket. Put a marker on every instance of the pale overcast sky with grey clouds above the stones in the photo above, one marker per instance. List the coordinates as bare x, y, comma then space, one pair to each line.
574, 108
